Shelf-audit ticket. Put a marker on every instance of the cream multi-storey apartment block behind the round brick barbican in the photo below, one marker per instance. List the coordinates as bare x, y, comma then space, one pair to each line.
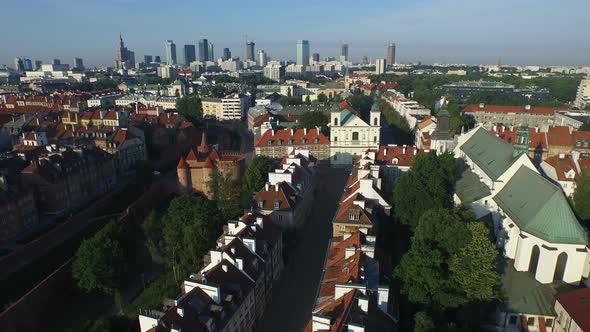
232, 107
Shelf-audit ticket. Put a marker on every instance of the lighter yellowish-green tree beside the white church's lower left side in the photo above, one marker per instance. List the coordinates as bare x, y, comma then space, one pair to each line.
473, 268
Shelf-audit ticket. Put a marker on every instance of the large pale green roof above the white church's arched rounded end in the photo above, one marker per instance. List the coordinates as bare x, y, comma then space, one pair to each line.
539, 208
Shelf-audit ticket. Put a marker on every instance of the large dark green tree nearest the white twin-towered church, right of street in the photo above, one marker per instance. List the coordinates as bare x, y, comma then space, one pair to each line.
428, 184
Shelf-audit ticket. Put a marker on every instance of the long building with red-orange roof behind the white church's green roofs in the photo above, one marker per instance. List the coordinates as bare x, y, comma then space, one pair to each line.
534, 116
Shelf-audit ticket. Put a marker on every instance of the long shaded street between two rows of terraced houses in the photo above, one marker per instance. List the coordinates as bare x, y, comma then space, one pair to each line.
294, 295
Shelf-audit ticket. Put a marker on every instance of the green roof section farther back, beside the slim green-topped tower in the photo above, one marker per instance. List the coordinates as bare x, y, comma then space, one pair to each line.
490, 153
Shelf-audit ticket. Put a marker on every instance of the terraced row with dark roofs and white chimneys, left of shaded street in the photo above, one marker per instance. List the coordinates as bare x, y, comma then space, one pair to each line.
231, 291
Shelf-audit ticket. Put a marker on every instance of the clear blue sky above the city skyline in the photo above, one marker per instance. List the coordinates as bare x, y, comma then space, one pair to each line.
534, 32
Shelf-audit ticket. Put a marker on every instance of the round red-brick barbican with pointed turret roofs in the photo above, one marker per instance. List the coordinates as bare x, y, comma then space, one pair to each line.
195, 170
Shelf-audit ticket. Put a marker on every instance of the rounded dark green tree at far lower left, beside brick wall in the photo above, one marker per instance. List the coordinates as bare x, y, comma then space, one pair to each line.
100, 261
